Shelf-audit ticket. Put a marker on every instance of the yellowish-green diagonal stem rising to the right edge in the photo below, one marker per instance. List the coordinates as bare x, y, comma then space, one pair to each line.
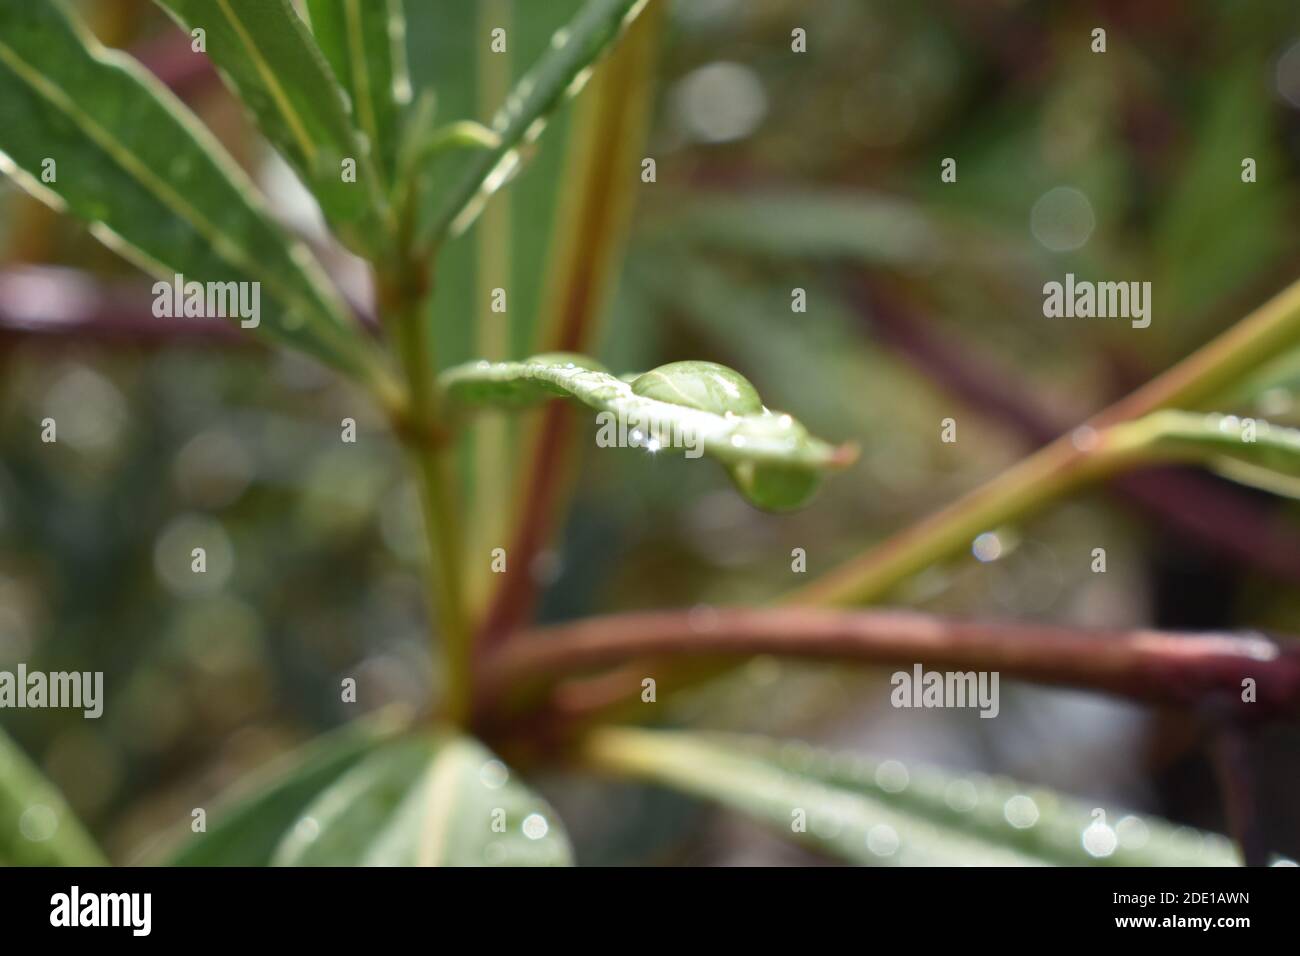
1063, 465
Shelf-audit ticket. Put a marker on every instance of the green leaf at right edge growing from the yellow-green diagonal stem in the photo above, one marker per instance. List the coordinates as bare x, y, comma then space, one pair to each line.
1246, 451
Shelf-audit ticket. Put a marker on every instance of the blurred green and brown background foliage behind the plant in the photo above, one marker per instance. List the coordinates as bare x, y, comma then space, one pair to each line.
775, 171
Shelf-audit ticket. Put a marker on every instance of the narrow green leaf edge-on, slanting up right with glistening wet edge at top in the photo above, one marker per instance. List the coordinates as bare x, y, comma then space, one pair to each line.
561, 73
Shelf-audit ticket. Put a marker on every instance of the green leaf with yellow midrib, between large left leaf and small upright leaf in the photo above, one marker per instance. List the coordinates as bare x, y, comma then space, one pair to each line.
267, 57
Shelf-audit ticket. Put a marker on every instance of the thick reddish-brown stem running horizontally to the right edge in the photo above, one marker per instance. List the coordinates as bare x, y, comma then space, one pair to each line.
1151, 667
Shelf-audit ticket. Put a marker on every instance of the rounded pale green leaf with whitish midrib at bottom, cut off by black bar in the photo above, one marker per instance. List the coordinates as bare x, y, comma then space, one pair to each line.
427, 802
